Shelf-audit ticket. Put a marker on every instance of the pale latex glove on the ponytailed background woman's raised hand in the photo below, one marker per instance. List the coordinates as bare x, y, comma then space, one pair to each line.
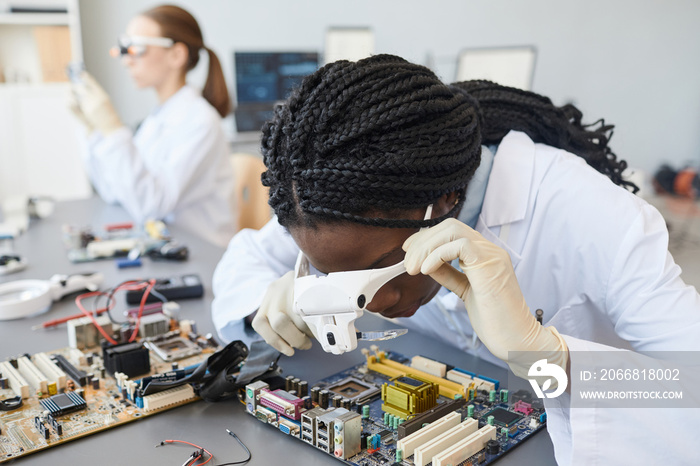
94, 108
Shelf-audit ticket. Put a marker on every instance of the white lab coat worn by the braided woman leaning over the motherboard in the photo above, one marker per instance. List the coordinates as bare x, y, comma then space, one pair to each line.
590, 254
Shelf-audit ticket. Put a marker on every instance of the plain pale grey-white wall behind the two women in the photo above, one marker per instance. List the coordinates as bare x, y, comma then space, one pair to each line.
634, 62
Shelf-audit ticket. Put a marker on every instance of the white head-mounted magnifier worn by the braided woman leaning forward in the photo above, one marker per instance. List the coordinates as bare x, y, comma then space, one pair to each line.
330, 304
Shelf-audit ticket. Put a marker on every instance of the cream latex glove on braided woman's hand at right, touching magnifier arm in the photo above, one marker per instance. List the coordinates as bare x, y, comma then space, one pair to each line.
490, 291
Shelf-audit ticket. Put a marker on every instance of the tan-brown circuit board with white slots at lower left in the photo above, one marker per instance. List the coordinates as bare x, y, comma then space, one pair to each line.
70, 393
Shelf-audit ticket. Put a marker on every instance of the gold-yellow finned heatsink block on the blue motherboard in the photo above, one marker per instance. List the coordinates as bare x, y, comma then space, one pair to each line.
409, 395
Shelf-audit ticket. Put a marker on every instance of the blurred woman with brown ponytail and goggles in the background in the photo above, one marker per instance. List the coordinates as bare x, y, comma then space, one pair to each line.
175, 166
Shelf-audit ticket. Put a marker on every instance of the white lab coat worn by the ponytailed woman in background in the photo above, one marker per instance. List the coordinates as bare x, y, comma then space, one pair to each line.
175, 168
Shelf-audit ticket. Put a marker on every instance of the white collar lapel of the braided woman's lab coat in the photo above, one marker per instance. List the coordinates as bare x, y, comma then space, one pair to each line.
509, 188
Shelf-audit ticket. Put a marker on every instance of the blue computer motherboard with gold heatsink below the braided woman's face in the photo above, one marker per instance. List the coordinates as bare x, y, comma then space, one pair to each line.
400, 411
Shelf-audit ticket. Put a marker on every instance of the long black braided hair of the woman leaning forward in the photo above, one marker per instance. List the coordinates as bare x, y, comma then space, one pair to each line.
369, 141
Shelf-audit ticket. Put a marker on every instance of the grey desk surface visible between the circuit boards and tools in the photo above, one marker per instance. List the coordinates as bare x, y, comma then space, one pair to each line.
200, 422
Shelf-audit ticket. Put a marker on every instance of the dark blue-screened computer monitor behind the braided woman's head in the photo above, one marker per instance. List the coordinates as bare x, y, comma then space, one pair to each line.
264, 79
